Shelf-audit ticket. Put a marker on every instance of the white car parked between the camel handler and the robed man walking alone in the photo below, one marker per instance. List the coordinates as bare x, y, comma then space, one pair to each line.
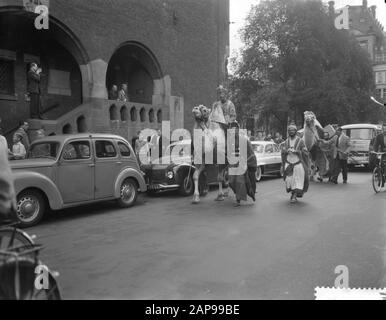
268, 157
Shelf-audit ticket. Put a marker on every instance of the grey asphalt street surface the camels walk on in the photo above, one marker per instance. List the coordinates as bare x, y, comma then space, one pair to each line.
167, 248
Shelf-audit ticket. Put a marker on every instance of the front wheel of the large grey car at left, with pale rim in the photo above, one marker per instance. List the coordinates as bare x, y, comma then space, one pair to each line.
30, 208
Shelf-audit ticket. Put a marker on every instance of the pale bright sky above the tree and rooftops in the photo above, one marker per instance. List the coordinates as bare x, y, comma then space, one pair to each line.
240, 8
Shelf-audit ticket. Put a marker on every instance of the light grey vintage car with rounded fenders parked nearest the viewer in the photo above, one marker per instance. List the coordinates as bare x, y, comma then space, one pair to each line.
72, 170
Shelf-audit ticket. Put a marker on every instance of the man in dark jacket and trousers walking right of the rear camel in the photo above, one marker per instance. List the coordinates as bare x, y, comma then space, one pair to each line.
342, 145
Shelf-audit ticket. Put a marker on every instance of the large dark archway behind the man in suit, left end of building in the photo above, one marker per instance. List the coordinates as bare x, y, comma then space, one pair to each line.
57, 51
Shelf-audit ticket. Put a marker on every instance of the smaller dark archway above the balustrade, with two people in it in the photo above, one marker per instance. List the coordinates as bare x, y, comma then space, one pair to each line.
134, 64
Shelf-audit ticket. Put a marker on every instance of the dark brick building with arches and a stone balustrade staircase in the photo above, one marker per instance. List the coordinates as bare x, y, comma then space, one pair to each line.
171, 53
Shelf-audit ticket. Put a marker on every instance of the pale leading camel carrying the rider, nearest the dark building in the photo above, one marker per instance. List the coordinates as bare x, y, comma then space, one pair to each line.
214, 138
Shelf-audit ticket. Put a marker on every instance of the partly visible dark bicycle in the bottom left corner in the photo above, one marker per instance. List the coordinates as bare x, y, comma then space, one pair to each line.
19, 259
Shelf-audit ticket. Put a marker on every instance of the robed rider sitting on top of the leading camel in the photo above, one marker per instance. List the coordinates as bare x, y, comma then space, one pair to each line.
223, 110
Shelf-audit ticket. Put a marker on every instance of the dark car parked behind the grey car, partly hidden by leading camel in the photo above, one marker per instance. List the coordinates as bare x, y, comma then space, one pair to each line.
176, 173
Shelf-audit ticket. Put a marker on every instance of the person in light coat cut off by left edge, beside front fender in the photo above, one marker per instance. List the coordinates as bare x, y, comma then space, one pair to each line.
7, 191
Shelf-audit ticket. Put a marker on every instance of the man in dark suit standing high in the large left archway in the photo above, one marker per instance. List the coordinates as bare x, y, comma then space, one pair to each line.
33, 88
